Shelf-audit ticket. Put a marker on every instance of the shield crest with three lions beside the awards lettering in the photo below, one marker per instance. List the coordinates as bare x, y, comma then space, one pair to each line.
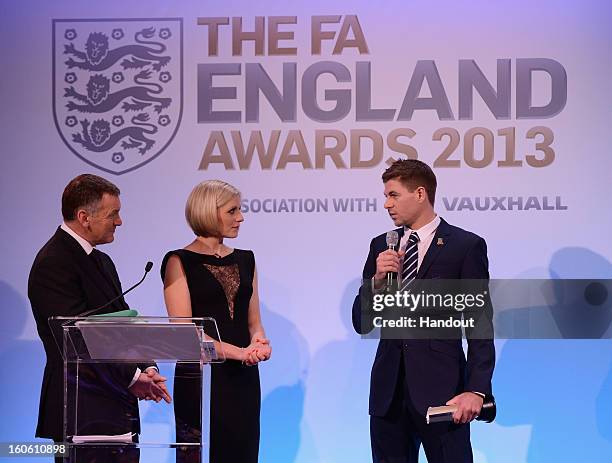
117, 88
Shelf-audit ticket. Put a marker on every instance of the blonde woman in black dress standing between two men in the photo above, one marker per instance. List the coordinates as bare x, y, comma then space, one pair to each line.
207, 278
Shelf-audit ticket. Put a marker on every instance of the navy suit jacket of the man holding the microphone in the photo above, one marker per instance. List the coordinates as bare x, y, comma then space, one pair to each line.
436, 369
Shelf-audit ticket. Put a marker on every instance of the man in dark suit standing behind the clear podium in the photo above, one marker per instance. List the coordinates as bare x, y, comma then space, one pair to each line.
68, 278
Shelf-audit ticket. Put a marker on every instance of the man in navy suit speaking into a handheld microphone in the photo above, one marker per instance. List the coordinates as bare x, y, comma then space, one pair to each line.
410, 375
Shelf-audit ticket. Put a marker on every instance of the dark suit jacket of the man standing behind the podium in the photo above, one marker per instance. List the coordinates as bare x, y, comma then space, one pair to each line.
65, 281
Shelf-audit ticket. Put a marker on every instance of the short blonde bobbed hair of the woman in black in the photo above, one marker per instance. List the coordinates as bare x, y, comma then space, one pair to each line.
201, 210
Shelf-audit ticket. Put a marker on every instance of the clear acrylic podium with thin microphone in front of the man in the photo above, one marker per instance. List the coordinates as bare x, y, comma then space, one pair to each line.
101, 355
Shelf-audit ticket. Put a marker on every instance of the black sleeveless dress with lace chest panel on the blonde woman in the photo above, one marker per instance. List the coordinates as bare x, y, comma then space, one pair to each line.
221, 288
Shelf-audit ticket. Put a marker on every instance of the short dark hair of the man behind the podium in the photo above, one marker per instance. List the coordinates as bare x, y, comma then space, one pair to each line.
85, 192
